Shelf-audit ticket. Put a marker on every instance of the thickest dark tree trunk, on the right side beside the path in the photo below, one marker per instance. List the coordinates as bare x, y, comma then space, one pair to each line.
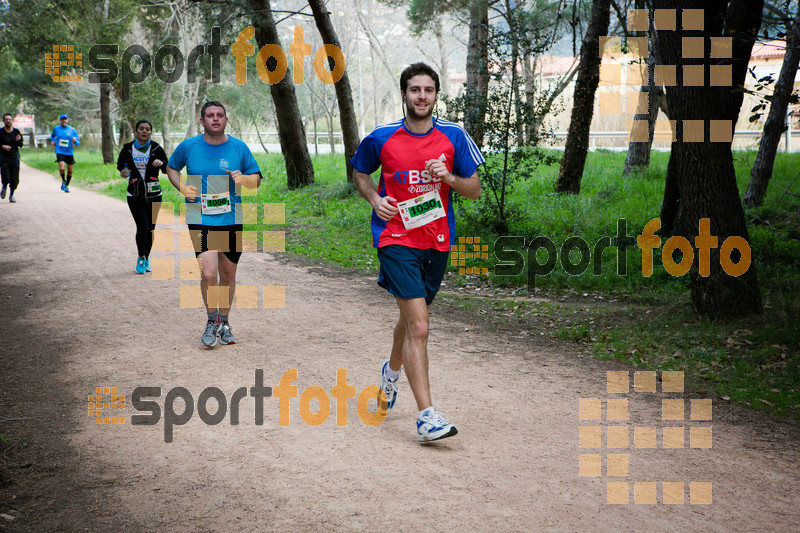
700, 172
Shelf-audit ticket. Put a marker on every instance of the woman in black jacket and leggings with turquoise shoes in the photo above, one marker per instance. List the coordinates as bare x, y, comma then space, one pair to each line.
139, 162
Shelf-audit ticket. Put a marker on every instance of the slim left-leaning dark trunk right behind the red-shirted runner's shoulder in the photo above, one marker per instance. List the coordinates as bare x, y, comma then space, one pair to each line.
344, 94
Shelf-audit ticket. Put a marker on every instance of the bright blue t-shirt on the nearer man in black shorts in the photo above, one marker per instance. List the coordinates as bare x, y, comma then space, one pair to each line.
205, 168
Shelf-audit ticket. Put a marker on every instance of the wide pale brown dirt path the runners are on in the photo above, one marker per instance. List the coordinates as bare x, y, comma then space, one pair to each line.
76, 316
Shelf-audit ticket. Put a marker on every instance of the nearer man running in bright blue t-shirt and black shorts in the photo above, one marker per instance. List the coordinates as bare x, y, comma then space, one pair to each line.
217, 166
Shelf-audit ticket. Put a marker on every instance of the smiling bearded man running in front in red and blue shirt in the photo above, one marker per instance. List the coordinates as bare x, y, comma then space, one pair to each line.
422, 159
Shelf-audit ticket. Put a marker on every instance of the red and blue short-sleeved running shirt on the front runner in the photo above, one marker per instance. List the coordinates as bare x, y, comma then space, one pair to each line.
401, 156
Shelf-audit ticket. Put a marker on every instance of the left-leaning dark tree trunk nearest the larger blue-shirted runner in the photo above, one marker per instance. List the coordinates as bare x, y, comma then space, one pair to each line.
292, 135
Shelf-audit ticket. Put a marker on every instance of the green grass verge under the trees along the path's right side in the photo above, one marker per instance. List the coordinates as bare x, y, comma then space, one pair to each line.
646, 322
